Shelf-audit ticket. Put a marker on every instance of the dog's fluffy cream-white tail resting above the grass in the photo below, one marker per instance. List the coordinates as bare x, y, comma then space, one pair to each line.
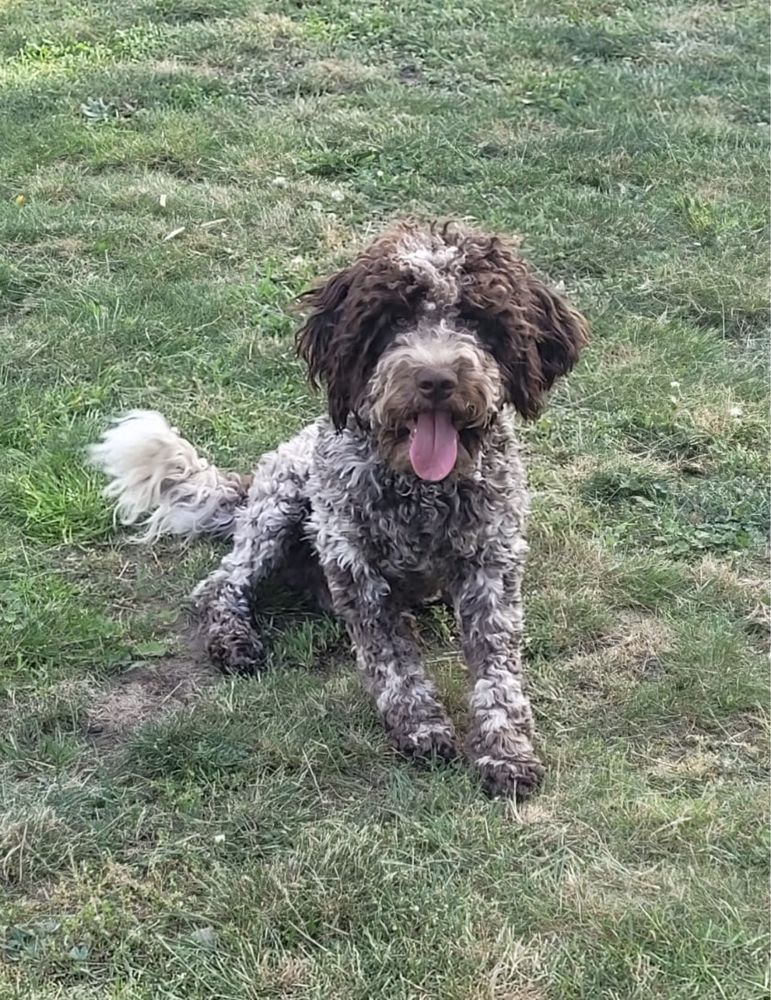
159, 480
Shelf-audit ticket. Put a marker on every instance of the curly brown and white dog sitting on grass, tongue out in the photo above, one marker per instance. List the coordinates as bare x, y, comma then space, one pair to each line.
412, 487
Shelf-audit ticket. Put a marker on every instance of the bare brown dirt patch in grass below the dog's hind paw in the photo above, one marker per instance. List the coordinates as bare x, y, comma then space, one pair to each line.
145, 691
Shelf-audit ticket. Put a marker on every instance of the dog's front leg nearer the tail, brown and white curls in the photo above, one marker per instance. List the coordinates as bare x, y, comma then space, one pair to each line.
389, 664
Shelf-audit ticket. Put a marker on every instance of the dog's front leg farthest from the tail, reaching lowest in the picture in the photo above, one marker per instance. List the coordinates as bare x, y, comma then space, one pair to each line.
489, 611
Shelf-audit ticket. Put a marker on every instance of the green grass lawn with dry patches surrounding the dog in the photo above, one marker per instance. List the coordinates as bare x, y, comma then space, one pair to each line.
172, 174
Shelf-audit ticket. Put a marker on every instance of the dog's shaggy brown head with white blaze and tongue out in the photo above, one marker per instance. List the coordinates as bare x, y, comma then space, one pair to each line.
428, 334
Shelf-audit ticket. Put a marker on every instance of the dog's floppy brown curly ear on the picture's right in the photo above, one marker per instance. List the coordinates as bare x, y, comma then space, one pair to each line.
533, 333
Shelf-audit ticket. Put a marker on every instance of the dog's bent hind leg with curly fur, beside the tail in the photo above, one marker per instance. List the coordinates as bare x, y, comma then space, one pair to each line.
266, 534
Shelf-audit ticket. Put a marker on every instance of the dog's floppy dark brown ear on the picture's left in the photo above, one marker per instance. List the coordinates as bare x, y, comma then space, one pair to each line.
351, 317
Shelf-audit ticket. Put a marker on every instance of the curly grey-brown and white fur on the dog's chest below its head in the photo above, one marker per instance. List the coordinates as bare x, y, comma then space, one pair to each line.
417, 534
